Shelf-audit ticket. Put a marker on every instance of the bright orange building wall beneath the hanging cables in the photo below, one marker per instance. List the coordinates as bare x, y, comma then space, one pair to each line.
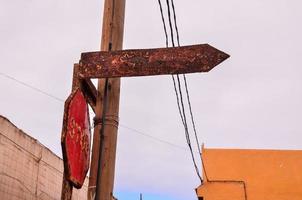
251, 174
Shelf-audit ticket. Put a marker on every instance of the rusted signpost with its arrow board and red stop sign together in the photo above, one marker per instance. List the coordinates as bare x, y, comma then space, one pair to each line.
110, 64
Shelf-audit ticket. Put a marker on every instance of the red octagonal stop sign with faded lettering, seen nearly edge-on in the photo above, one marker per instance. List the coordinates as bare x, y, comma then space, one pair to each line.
76, 138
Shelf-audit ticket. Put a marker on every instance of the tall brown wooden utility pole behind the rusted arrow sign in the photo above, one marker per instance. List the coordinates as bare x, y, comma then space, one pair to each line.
112, 39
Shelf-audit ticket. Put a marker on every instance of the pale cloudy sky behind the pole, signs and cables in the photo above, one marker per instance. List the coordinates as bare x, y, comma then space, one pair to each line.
252, 100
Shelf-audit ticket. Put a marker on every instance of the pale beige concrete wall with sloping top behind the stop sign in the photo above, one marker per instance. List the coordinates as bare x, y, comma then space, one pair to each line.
28, 170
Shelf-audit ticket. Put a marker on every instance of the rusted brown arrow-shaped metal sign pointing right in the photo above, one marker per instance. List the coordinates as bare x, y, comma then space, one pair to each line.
147, 62
